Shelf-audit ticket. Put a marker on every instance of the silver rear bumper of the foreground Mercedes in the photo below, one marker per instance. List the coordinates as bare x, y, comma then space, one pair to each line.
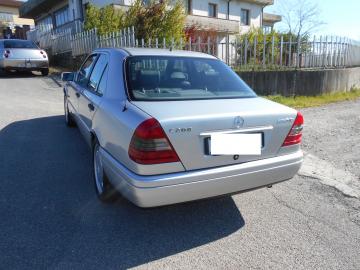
152, 191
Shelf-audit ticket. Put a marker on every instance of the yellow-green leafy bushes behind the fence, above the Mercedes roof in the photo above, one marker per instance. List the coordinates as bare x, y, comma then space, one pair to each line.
153, 20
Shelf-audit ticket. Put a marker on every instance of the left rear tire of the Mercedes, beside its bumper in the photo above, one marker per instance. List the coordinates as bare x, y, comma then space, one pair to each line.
104, 190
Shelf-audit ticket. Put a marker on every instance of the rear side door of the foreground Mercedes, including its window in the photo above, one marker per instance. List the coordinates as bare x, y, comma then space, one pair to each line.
92, 93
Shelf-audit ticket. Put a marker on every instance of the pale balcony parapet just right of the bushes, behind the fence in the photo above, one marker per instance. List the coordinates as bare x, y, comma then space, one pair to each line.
216, 24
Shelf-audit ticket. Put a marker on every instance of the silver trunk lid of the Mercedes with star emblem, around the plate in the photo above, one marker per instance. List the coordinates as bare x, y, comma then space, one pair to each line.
189, 126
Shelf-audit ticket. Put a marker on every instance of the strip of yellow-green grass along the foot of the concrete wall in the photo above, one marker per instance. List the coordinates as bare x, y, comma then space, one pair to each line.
299, 102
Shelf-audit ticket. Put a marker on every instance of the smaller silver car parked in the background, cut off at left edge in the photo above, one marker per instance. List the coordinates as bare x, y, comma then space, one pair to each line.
22, 55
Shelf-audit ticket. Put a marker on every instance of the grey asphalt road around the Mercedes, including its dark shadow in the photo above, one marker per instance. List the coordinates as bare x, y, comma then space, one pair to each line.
50, 217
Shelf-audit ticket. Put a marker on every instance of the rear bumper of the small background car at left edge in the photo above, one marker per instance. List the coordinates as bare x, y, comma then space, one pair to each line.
20, 64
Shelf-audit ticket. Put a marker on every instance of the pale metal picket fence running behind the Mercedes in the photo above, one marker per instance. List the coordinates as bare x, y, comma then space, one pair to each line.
258, 52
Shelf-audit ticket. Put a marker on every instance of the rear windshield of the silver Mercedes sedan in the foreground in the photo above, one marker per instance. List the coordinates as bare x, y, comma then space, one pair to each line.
151, 78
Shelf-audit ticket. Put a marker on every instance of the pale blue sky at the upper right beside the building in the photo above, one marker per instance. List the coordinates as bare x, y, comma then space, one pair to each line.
342, 18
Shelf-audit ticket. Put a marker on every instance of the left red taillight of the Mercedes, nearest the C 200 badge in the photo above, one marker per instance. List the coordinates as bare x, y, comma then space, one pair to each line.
150, 145
